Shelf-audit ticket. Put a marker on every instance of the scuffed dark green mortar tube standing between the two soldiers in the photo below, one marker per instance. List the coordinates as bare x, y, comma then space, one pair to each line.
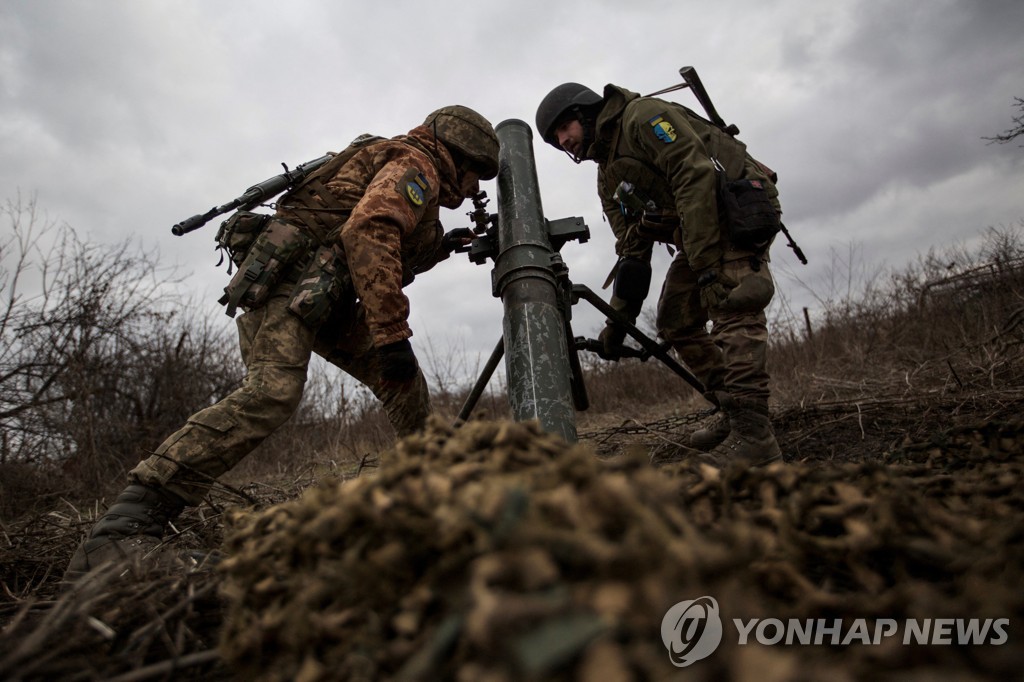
537, 360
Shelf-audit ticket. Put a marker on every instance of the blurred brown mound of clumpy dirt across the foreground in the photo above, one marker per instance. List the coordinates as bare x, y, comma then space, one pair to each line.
497, 552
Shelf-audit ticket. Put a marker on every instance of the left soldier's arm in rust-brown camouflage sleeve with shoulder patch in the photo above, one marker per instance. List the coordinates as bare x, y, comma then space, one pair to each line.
394, 203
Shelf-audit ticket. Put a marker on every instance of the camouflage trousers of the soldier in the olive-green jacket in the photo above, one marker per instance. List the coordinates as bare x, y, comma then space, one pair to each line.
733, 358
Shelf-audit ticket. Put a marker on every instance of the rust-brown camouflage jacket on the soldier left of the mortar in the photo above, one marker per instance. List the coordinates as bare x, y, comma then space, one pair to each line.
381, 209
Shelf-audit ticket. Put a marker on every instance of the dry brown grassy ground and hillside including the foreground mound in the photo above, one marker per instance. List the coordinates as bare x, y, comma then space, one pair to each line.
470, 555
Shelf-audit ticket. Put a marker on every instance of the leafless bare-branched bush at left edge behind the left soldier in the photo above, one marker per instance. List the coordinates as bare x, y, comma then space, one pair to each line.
98, 361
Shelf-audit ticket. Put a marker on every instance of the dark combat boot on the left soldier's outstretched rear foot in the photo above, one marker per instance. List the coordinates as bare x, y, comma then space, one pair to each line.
132, 527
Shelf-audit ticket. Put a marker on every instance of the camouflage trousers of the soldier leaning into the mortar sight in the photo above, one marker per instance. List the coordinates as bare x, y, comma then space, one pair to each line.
276, 349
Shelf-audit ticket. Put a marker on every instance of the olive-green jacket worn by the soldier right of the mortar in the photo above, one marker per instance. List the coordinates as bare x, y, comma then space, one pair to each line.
666, 150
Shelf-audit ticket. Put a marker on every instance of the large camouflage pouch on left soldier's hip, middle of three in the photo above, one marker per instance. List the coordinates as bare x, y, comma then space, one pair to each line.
274, 251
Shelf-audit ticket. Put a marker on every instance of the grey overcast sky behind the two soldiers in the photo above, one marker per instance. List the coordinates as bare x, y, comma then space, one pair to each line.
124, 117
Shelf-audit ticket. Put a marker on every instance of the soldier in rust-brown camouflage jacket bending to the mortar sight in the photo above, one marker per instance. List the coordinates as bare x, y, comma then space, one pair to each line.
325, 276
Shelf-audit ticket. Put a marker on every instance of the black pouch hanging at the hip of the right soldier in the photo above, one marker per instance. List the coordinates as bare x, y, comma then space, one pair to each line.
746, 214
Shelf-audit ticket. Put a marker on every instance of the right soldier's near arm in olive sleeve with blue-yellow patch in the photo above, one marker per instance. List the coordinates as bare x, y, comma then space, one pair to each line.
667, 140
